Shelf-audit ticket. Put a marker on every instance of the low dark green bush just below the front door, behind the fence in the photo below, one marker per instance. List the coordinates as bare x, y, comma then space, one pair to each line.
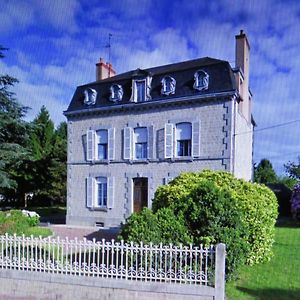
161, 227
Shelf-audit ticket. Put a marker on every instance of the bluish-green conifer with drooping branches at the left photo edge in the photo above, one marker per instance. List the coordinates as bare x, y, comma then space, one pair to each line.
13, 133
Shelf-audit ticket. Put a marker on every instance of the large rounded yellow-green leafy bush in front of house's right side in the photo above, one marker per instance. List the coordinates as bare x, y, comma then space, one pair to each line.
256, 204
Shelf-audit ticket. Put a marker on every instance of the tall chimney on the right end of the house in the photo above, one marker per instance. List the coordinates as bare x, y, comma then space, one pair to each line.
242, 60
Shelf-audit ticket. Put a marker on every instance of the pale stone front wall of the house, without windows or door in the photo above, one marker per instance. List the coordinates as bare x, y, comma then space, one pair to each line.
215, 133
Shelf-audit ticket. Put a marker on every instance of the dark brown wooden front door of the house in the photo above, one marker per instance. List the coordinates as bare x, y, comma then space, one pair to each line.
140, 194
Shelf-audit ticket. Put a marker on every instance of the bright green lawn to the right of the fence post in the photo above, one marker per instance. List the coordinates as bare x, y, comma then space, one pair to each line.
278, 279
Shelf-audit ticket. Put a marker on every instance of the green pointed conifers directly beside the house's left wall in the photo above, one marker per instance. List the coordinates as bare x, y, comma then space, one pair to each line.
48, 148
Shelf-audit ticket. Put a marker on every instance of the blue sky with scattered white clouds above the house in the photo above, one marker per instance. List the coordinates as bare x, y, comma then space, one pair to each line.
54, 45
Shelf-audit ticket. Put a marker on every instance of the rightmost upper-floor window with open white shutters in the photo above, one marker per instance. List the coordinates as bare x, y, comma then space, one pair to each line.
182, 139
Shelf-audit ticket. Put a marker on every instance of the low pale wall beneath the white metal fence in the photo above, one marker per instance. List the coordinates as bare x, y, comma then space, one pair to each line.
35, 285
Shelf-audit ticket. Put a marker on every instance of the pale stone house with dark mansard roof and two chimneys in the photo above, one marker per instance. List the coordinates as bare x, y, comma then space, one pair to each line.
132, 132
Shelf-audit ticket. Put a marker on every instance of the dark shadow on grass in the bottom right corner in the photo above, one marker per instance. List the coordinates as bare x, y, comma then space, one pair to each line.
272, 294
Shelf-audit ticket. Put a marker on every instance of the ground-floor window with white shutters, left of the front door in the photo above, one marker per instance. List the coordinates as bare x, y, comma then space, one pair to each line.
100, 192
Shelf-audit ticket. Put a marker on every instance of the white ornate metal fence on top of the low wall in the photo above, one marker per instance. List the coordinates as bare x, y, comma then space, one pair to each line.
155, 263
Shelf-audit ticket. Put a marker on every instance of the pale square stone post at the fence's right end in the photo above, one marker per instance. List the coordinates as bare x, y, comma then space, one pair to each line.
220, 272
